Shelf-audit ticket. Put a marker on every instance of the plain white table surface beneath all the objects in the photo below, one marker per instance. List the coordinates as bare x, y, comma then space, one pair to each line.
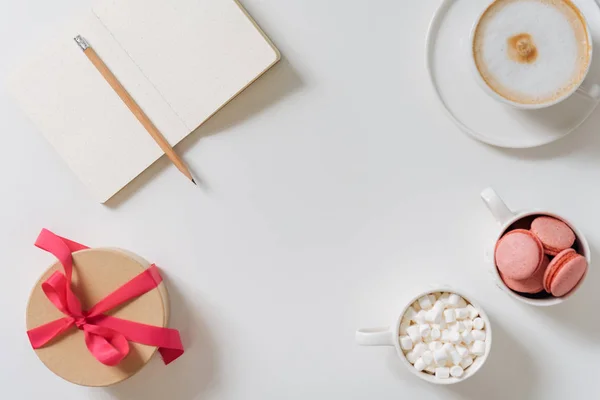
336, 188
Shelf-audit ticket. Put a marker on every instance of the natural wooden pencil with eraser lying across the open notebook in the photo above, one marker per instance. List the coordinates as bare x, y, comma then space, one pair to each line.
112, 80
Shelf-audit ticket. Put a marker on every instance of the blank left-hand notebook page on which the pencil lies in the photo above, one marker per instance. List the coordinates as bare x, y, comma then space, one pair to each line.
82, 117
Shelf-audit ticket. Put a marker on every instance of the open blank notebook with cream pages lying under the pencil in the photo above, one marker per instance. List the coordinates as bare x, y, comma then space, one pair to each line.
180, 60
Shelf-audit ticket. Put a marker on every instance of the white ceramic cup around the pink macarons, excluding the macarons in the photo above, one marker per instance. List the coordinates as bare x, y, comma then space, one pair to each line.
506, 218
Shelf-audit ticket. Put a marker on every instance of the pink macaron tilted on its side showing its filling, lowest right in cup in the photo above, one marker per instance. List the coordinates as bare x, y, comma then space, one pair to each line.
564, 272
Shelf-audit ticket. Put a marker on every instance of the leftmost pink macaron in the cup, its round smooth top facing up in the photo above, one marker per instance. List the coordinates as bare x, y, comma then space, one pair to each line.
519, 254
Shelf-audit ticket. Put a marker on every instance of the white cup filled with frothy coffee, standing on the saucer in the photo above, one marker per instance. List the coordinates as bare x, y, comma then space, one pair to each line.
532, 54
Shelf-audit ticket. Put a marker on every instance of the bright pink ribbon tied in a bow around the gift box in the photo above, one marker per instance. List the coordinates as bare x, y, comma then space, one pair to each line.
106, 337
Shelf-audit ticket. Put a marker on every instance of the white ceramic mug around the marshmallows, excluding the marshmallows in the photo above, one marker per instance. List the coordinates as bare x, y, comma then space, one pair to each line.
389, 336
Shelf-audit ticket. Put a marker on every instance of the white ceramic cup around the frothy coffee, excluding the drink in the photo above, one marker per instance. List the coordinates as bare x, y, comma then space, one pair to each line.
588, 89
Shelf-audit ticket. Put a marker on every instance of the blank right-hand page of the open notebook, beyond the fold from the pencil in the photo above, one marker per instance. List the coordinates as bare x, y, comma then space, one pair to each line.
198, 53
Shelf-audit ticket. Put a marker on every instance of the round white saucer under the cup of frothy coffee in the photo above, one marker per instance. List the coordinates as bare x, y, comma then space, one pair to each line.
476, 113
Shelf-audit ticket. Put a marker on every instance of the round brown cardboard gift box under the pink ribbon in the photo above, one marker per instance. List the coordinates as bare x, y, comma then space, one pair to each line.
97, 273
